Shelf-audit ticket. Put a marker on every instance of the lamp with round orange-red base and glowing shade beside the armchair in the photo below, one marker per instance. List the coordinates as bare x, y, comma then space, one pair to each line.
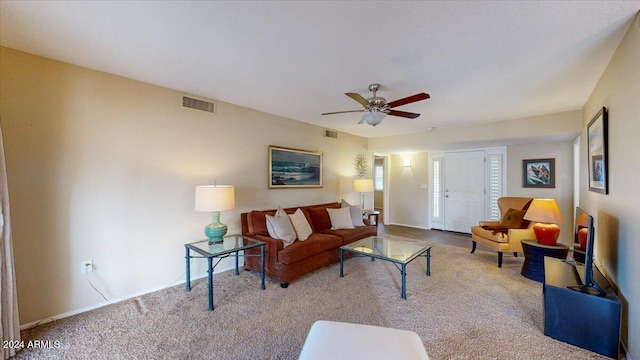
545, 213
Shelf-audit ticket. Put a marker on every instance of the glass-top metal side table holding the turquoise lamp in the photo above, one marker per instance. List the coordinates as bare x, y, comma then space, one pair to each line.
230, 245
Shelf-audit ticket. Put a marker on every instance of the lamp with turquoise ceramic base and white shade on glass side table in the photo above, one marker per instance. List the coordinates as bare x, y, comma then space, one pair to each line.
215, 198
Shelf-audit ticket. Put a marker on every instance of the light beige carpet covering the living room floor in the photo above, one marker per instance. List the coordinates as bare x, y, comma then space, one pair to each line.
467, 309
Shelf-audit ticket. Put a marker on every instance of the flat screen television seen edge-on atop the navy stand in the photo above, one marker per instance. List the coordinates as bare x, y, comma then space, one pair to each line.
584, 243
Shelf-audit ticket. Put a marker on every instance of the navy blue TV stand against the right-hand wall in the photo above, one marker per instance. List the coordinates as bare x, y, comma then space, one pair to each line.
589, 321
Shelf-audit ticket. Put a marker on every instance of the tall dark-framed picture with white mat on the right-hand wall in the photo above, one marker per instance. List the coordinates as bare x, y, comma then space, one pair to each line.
597, 153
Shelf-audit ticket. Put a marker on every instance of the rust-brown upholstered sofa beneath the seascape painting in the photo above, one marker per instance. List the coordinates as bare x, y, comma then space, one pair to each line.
320, 249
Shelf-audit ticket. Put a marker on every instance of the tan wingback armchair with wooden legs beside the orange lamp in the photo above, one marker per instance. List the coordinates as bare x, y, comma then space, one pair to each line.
505, 235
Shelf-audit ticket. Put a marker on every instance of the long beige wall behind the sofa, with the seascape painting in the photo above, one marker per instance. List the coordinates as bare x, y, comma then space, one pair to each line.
103, 168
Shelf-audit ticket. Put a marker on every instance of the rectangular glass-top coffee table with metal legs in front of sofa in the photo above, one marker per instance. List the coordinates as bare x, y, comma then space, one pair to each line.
399, 252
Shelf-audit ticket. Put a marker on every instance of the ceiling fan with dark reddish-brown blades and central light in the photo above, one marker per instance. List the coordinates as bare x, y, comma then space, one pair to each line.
376, 107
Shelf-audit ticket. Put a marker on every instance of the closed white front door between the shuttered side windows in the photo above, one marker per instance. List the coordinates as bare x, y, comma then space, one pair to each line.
464, 184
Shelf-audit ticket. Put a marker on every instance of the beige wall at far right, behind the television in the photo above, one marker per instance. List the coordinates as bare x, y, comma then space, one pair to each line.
618, 213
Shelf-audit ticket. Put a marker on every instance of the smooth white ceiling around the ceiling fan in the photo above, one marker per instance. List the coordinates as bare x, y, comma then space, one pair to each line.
480, 61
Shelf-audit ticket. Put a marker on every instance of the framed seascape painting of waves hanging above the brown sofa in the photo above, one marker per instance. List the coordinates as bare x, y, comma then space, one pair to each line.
294, 168
